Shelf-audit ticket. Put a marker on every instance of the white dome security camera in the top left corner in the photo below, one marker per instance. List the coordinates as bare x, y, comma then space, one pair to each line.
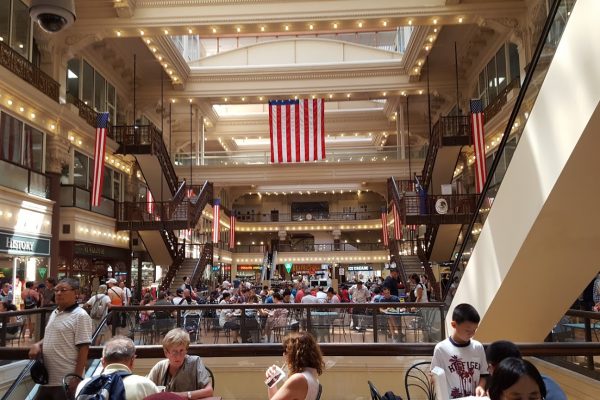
53, 15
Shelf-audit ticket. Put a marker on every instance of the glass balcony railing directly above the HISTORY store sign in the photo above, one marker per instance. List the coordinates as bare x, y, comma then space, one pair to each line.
24, 180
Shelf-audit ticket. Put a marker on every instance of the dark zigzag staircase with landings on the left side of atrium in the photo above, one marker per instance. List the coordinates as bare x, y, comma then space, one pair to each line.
176, 205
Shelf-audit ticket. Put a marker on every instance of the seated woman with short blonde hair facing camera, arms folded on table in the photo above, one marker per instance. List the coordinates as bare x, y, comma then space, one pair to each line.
181, 373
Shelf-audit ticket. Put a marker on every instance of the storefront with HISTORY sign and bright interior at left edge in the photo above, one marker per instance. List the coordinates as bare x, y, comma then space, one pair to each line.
23, 258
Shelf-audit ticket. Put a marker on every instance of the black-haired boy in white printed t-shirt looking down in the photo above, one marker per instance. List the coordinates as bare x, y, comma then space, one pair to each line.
462, 358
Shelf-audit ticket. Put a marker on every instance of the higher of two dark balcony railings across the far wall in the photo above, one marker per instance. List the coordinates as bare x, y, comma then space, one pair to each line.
310, 216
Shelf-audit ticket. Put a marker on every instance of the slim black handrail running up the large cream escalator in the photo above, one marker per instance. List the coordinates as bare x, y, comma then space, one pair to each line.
511, 120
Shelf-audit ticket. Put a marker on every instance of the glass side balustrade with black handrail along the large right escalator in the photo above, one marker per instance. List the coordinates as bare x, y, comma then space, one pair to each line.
521, 109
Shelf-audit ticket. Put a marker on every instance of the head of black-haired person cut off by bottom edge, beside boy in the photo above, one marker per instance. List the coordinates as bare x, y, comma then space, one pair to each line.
515, 378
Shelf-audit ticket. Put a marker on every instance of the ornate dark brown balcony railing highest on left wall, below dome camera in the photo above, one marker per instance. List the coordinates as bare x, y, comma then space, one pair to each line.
24, 69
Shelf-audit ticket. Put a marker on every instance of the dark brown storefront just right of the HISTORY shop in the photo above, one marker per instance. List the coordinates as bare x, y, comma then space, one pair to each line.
93, 264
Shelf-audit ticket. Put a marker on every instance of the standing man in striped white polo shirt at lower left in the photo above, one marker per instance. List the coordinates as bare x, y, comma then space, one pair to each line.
66, 341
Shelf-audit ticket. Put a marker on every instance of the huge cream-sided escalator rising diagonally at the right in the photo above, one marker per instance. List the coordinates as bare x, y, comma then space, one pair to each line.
532, 245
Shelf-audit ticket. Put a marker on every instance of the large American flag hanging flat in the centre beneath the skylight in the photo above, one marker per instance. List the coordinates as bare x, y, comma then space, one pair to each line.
297, 130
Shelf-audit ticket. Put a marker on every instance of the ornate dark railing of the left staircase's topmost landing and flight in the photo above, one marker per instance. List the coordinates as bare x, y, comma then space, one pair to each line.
144, 139
